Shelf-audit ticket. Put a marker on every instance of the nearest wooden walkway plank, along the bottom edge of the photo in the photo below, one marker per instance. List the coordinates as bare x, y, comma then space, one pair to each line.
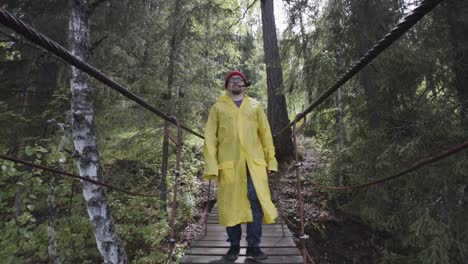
220, 259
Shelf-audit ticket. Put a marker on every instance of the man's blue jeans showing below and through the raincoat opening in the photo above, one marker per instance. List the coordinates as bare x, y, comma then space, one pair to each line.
254, 229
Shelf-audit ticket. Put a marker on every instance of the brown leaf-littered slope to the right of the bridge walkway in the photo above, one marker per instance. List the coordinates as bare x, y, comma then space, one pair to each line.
334, 235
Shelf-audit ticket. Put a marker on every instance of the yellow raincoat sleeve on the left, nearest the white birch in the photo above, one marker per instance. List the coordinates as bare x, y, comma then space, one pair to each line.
210, 147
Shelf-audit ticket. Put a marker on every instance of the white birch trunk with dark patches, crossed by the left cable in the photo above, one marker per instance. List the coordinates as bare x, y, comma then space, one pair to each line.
84, 137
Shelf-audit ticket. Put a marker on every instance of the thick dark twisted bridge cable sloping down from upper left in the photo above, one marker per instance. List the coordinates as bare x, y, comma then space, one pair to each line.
9, 20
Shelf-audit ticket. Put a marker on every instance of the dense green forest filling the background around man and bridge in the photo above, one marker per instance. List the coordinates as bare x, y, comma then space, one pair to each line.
409, 104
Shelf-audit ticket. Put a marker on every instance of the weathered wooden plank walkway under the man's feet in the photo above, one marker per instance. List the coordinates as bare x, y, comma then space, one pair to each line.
212, 247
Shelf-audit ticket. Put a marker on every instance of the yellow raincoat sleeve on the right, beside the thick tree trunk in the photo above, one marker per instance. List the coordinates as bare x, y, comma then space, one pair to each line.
267, 140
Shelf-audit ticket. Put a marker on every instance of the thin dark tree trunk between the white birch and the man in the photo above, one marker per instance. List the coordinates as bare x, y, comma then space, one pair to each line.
170, 83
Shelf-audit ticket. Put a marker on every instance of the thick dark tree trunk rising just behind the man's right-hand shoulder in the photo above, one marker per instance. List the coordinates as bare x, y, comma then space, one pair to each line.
277, 110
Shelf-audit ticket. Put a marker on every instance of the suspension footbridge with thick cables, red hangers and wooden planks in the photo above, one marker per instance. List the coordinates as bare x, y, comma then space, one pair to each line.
211, 245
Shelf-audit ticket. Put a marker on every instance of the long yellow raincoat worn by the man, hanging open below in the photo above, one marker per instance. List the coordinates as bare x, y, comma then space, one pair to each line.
235, 137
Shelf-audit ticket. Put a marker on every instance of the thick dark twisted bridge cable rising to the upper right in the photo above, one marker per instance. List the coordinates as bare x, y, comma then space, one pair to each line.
408, 22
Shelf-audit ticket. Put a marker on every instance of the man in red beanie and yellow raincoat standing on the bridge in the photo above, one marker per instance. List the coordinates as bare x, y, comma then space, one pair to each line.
238, 151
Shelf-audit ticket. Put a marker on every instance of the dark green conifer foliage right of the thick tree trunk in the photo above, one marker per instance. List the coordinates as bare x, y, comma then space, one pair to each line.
417, 108
